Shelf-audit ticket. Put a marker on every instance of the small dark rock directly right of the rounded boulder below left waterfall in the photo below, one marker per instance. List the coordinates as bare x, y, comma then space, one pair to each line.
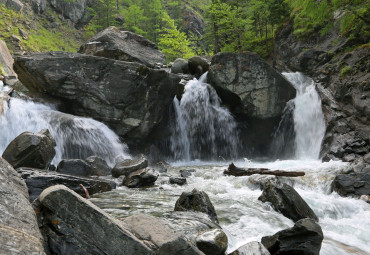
77, 167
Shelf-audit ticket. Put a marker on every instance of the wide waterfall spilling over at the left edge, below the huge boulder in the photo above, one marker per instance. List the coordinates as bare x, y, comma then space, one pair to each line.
76, 137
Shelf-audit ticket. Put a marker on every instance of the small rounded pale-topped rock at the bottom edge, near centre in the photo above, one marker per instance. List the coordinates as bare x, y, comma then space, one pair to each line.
213, 242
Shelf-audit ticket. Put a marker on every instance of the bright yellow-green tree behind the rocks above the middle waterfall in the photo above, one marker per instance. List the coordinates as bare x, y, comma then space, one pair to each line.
172, 42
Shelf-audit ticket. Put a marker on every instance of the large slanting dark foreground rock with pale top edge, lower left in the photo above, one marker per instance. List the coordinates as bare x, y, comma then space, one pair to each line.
73, 225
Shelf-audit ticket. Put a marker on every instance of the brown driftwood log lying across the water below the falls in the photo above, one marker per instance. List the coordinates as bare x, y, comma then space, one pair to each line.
237, 171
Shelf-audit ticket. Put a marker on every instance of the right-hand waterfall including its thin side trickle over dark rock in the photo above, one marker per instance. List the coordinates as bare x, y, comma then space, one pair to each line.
308, 121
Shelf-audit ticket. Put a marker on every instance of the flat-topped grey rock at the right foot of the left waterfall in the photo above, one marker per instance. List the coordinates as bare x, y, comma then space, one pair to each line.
128, 166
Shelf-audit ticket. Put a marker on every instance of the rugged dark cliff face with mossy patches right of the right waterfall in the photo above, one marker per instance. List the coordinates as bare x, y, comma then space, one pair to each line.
341, 68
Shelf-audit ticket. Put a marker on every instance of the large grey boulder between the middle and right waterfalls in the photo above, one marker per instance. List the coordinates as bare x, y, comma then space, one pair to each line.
262, 90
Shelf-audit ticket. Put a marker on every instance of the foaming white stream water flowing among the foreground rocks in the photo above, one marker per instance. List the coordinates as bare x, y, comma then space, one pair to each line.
344, 221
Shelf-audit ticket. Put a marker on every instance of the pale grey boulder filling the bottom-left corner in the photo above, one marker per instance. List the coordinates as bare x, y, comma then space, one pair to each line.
19, 232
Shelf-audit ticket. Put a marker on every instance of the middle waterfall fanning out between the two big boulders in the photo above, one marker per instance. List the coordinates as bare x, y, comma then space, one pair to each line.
203, 129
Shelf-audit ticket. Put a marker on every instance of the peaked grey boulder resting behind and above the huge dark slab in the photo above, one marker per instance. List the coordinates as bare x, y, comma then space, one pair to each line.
123, 45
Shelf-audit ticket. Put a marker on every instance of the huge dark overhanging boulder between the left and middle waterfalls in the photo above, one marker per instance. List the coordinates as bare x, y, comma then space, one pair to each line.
130, 98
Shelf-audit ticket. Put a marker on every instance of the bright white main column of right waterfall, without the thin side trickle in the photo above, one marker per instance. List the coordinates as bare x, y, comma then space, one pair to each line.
309, 122
